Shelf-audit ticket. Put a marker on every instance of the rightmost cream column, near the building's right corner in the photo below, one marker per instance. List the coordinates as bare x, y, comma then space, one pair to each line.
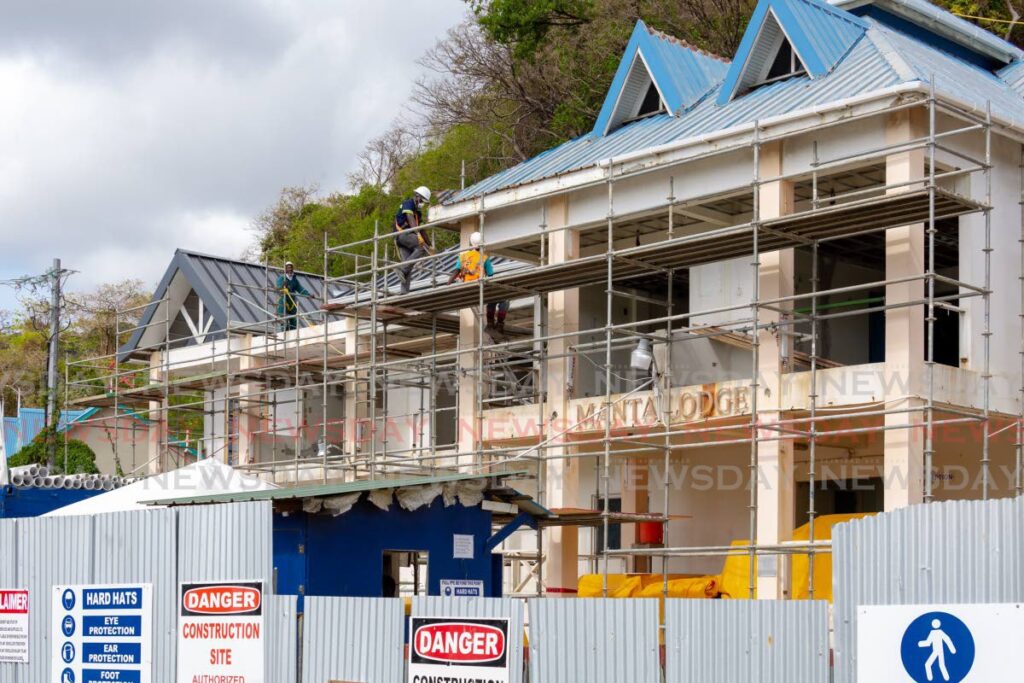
905, 367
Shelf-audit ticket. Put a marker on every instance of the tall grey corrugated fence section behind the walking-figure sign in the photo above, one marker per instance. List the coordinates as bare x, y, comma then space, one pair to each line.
956, 552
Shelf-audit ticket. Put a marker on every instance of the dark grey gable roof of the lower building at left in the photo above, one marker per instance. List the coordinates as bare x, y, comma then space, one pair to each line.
253, 301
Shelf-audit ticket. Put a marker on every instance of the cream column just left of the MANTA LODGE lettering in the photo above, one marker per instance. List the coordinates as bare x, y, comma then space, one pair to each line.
562, 545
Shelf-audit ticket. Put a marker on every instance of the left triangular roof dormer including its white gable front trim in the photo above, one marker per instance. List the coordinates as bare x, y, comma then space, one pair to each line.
680, 75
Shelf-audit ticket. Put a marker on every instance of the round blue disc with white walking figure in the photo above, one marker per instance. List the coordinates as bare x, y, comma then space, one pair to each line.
937, 647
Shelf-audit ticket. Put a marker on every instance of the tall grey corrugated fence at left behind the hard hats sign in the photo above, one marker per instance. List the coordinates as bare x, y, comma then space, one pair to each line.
159, 547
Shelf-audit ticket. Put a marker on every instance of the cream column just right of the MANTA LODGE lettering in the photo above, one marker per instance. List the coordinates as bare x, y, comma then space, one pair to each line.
776, 490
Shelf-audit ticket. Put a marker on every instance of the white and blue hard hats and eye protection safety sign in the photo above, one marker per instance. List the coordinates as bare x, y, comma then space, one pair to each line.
102, 634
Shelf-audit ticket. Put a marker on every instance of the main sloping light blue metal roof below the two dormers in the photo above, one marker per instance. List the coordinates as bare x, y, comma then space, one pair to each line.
885, 58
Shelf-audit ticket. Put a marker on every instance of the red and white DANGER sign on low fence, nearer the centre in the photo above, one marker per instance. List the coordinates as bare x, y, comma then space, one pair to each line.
459, 651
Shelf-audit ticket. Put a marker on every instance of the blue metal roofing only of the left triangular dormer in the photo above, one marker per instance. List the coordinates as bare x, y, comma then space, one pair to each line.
684, 74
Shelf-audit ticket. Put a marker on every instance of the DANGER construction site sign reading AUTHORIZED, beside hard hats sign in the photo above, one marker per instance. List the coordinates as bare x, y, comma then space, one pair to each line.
221, 633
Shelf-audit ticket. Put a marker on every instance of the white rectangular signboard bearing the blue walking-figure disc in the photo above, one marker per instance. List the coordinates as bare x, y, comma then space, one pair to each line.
938, 644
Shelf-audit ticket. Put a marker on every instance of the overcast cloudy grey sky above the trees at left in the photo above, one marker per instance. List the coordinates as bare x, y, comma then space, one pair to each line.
130, 129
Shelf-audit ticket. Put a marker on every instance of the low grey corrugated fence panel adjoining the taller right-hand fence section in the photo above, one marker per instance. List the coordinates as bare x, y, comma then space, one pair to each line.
739, 642
